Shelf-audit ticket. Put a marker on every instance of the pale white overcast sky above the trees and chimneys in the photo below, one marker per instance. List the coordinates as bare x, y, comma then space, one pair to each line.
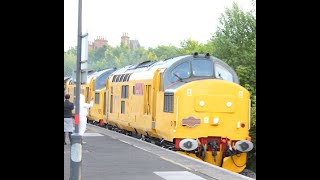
151, 22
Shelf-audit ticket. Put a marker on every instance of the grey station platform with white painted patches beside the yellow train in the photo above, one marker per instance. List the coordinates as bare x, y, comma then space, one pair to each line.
111, 155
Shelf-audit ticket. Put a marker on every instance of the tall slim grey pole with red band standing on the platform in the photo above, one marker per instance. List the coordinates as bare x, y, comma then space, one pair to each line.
76, 138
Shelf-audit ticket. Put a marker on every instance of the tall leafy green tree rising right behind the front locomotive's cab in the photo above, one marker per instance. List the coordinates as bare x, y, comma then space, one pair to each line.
235, 43
